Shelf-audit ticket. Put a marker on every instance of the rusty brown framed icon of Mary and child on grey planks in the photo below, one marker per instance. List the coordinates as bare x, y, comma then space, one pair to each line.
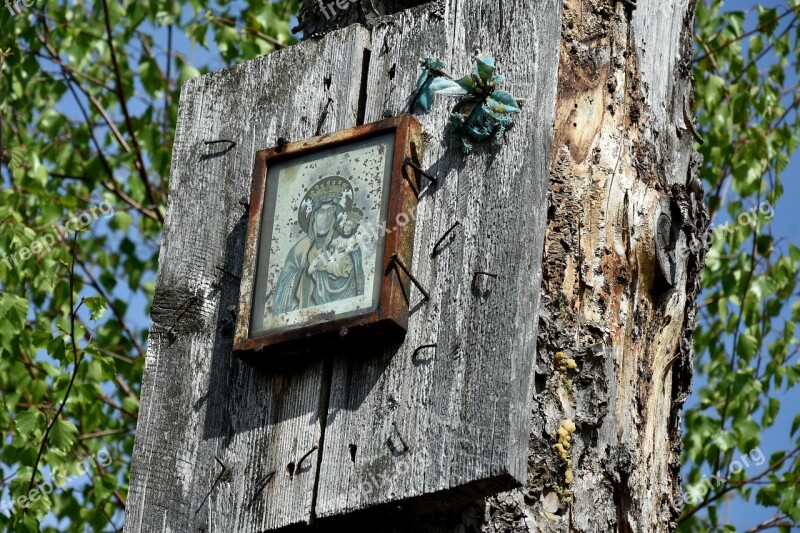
330, 238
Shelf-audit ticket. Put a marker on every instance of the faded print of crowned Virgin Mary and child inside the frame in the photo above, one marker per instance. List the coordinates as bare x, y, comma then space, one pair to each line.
321, 251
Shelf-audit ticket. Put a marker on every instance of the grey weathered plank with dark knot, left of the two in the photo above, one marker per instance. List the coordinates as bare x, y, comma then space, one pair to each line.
215, 436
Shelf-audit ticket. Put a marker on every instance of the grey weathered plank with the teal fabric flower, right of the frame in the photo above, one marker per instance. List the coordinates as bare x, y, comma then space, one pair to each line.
455, 417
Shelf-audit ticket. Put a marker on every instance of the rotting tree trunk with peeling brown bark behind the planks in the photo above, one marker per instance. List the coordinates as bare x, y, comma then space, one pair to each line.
619, 156
